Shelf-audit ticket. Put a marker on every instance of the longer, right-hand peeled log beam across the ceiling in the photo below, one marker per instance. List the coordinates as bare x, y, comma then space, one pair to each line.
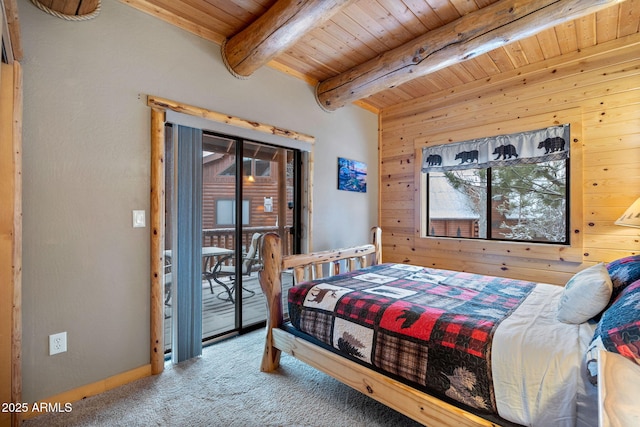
471, 35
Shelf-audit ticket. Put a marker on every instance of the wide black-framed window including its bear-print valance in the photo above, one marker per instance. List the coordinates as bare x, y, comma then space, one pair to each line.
511, 187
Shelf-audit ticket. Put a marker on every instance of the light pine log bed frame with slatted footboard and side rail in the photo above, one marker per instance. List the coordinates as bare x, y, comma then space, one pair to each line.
415, 404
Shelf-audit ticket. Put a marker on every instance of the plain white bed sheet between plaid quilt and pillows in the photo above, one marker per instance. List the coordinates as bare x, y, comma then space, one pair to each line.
537, 365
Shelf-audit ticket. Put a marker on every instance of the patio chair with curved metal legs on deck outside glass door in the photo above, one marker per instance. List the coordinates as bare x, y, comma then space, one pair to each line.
250, 264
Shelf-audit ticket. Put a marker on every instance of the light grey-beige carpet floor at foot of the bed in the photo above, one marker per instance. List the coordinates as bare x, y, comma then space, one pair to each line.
224, 387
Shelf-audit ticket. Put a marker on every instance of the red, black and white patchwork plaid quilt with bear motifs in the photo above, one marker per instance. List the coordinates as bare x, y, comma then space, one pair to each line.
428, 327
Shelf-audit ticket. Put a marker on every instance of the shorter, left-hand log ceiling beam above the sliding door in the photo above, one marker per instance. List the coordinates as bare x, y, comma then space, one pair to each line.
274, 32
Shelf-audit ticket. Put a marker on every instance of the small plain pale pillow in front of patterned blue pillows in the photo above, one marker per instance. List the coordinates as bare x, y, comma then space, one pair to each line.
585, 295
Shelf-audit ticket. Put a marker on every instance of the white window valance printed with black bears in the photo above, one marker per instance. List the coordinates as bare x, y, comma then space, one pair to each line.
535, 146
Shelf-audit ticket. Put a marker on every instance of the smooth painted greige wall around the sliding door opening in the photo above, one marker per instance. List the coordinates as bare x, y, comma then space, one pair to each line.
86, 167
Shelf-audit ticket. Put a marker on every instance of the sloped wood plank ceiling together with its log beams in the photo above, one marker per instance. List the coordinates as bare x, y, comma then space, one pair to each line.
378, 53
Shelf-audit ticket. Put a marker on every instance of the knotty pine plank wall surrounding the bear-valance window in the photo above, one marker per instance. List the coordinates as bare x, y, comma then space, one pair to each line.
600, 83
